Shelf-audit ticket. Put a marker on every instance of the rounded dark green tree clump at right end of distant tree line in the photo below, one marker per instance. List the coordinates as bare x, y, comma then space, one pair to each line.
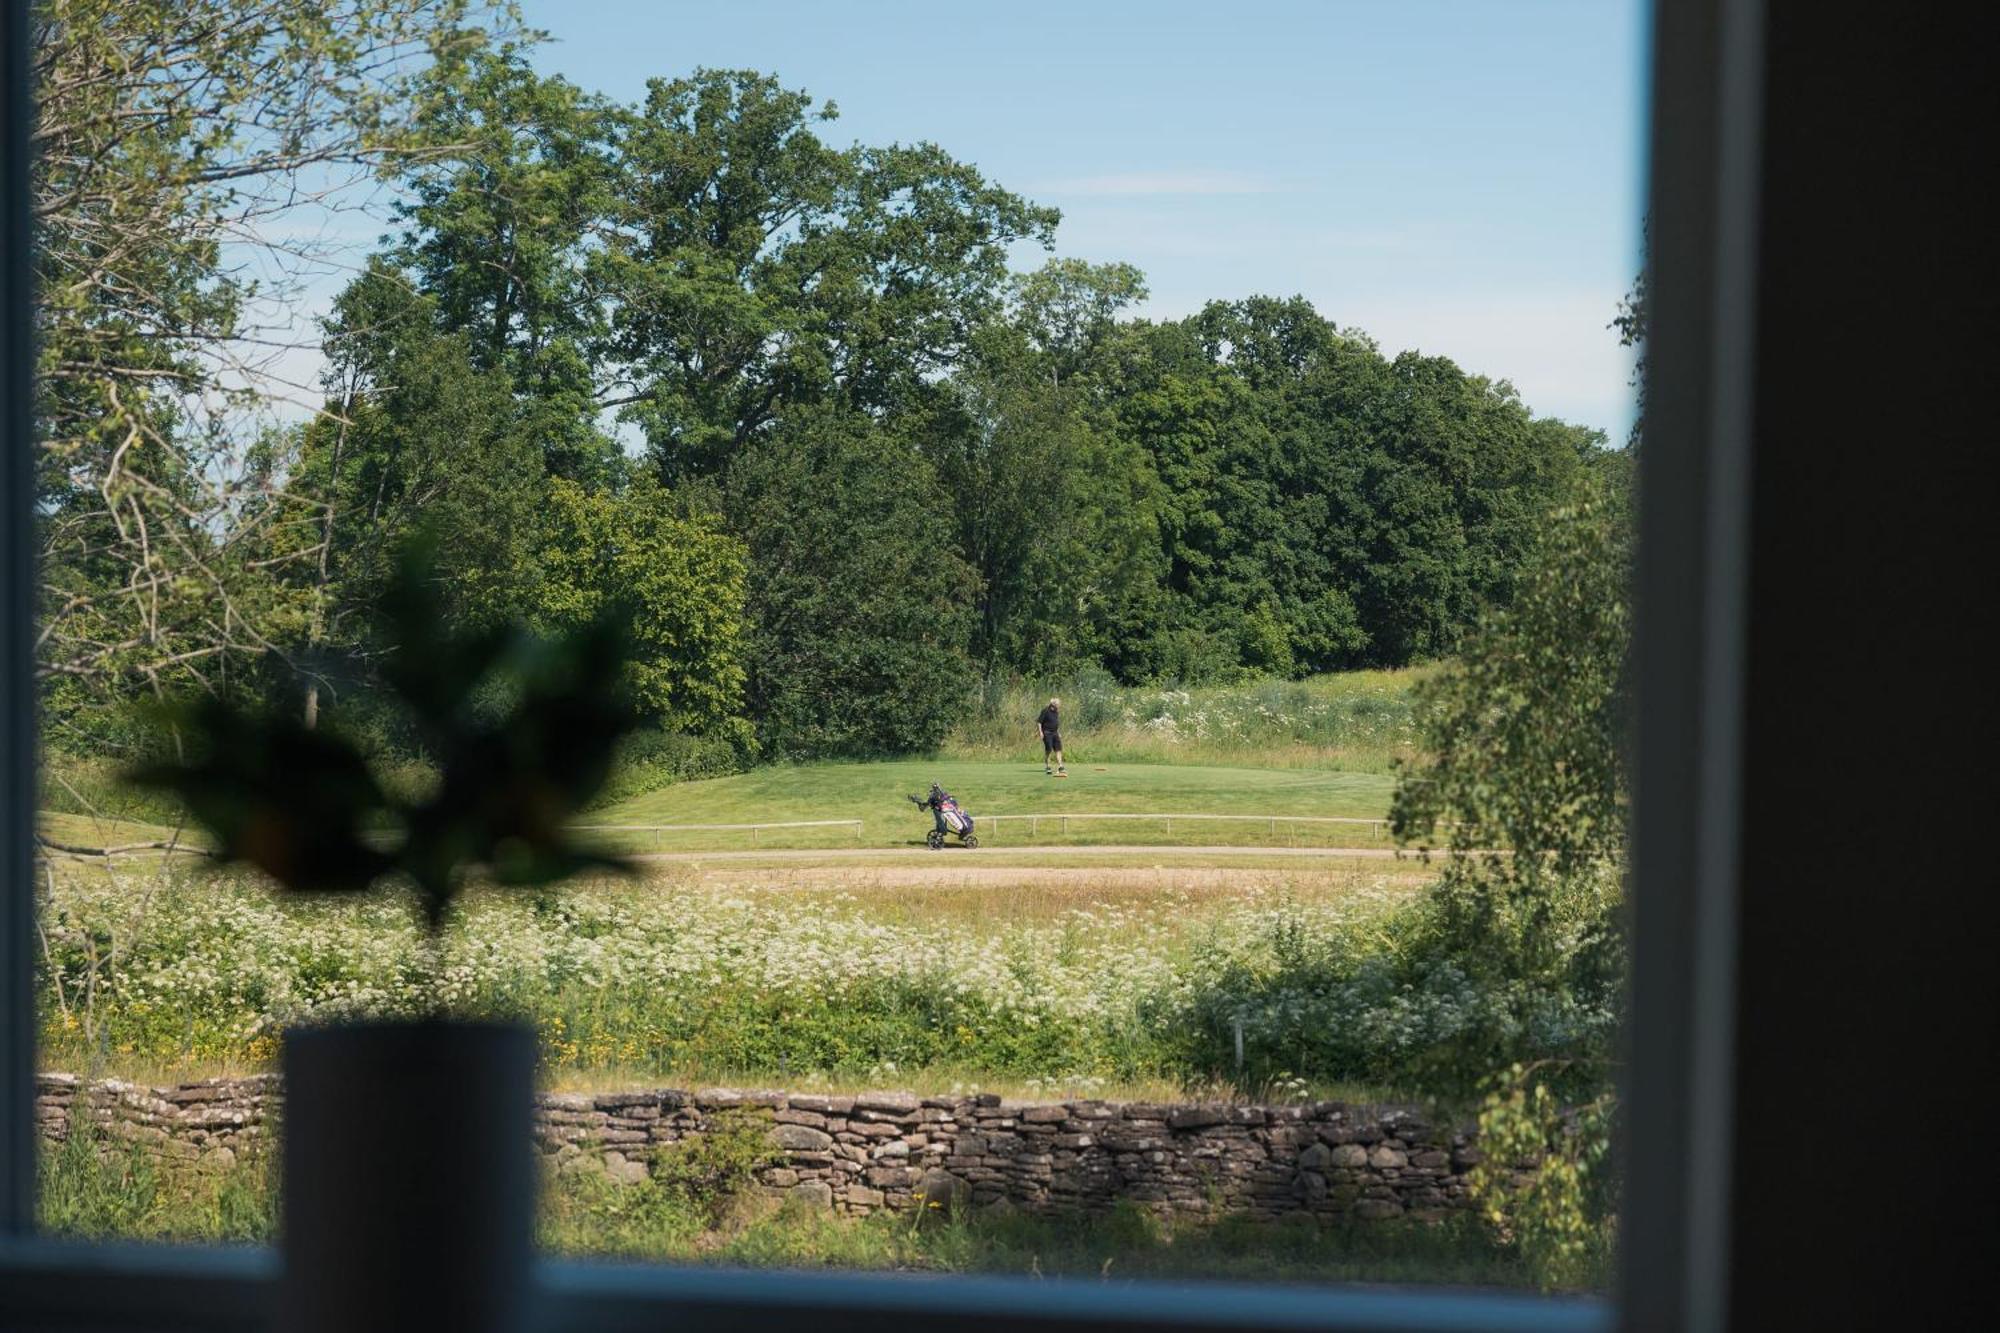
1327, 507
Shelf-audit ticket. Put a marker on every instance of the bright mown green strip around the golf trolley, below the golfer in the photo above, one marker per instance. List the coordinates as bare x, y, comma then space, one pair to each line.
875, 796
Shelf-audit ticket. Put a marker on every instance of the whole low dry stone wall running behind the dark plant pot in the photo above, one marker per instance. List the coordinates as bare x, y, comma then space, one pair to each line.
897, 1150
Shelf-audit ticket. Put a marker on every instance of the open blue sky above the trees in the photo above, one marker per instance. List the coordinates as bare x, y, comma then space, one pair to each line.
1453, 177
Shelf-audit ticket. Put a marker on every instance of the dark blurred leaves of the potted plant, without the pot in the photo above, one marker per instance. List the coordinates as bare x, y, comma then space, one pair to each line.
303, 806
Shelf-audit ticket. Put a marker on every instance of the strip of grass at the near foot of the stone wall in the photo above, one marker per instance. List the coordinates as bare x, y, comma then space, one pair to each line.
703, 1208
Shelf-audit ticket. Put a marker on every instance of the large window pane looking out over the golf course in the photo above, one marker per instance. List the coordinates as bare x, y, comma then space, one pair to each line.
1001, 635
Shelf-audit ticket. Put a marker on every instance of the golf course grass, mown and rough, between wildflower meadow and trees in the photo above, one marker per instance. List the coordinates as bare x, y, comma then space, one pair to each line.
1321, 748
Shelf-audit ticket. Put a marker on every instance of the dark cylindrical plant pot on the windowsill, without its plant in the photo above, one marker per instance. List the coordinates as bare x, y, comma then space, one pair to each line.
409, 1178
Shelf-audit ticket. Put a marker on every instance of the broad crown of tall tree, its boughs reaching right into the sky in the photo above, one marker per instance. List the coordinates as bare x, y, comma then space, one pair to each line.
749, 267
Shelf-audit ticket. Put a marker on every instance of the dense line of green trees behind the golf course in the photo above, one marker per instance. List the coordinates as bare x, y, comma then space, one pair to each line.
787, 407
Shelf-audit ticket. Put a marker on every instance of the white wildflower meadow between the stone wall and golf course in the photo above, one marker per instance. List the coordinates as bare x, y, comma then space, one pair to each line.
693, 978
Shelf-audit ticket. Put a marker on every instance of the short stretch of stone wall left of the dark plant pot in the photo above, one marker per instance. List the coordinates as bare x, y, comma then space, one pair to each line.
209, 1124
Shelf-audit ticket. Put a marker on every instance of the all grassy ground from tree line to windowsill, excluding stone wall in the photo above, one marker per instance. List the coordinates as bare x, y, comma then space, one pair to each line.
837, 960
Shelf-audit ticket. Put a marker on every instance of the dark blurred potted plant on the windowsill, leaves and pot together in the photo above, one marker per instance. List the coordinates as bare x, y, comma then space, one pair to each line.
409, 1178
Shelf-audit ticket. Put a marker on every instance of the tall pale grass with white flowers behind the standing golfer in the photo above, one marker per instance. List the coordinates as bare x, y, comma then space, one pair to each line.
1361, 722
